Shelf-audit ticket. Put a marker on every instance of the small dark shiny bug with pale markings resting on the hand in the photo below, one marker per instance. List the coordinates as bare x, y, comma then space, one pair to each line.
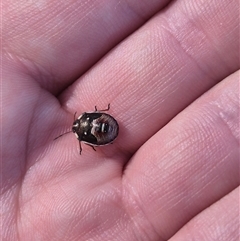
94, 128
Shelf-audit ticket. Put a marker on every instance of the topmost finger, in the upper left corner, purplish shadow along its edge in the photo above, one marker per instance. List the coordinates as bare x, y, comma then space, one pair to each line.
58, 42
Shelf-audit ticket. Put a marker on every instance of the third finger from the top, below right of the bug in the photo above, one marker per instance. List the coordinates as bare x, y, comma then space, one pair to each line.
190, 164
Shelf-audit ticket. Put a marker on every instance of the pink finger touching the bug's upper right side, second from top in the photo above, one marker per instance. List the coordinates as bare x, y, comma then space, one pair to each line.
162, 68
